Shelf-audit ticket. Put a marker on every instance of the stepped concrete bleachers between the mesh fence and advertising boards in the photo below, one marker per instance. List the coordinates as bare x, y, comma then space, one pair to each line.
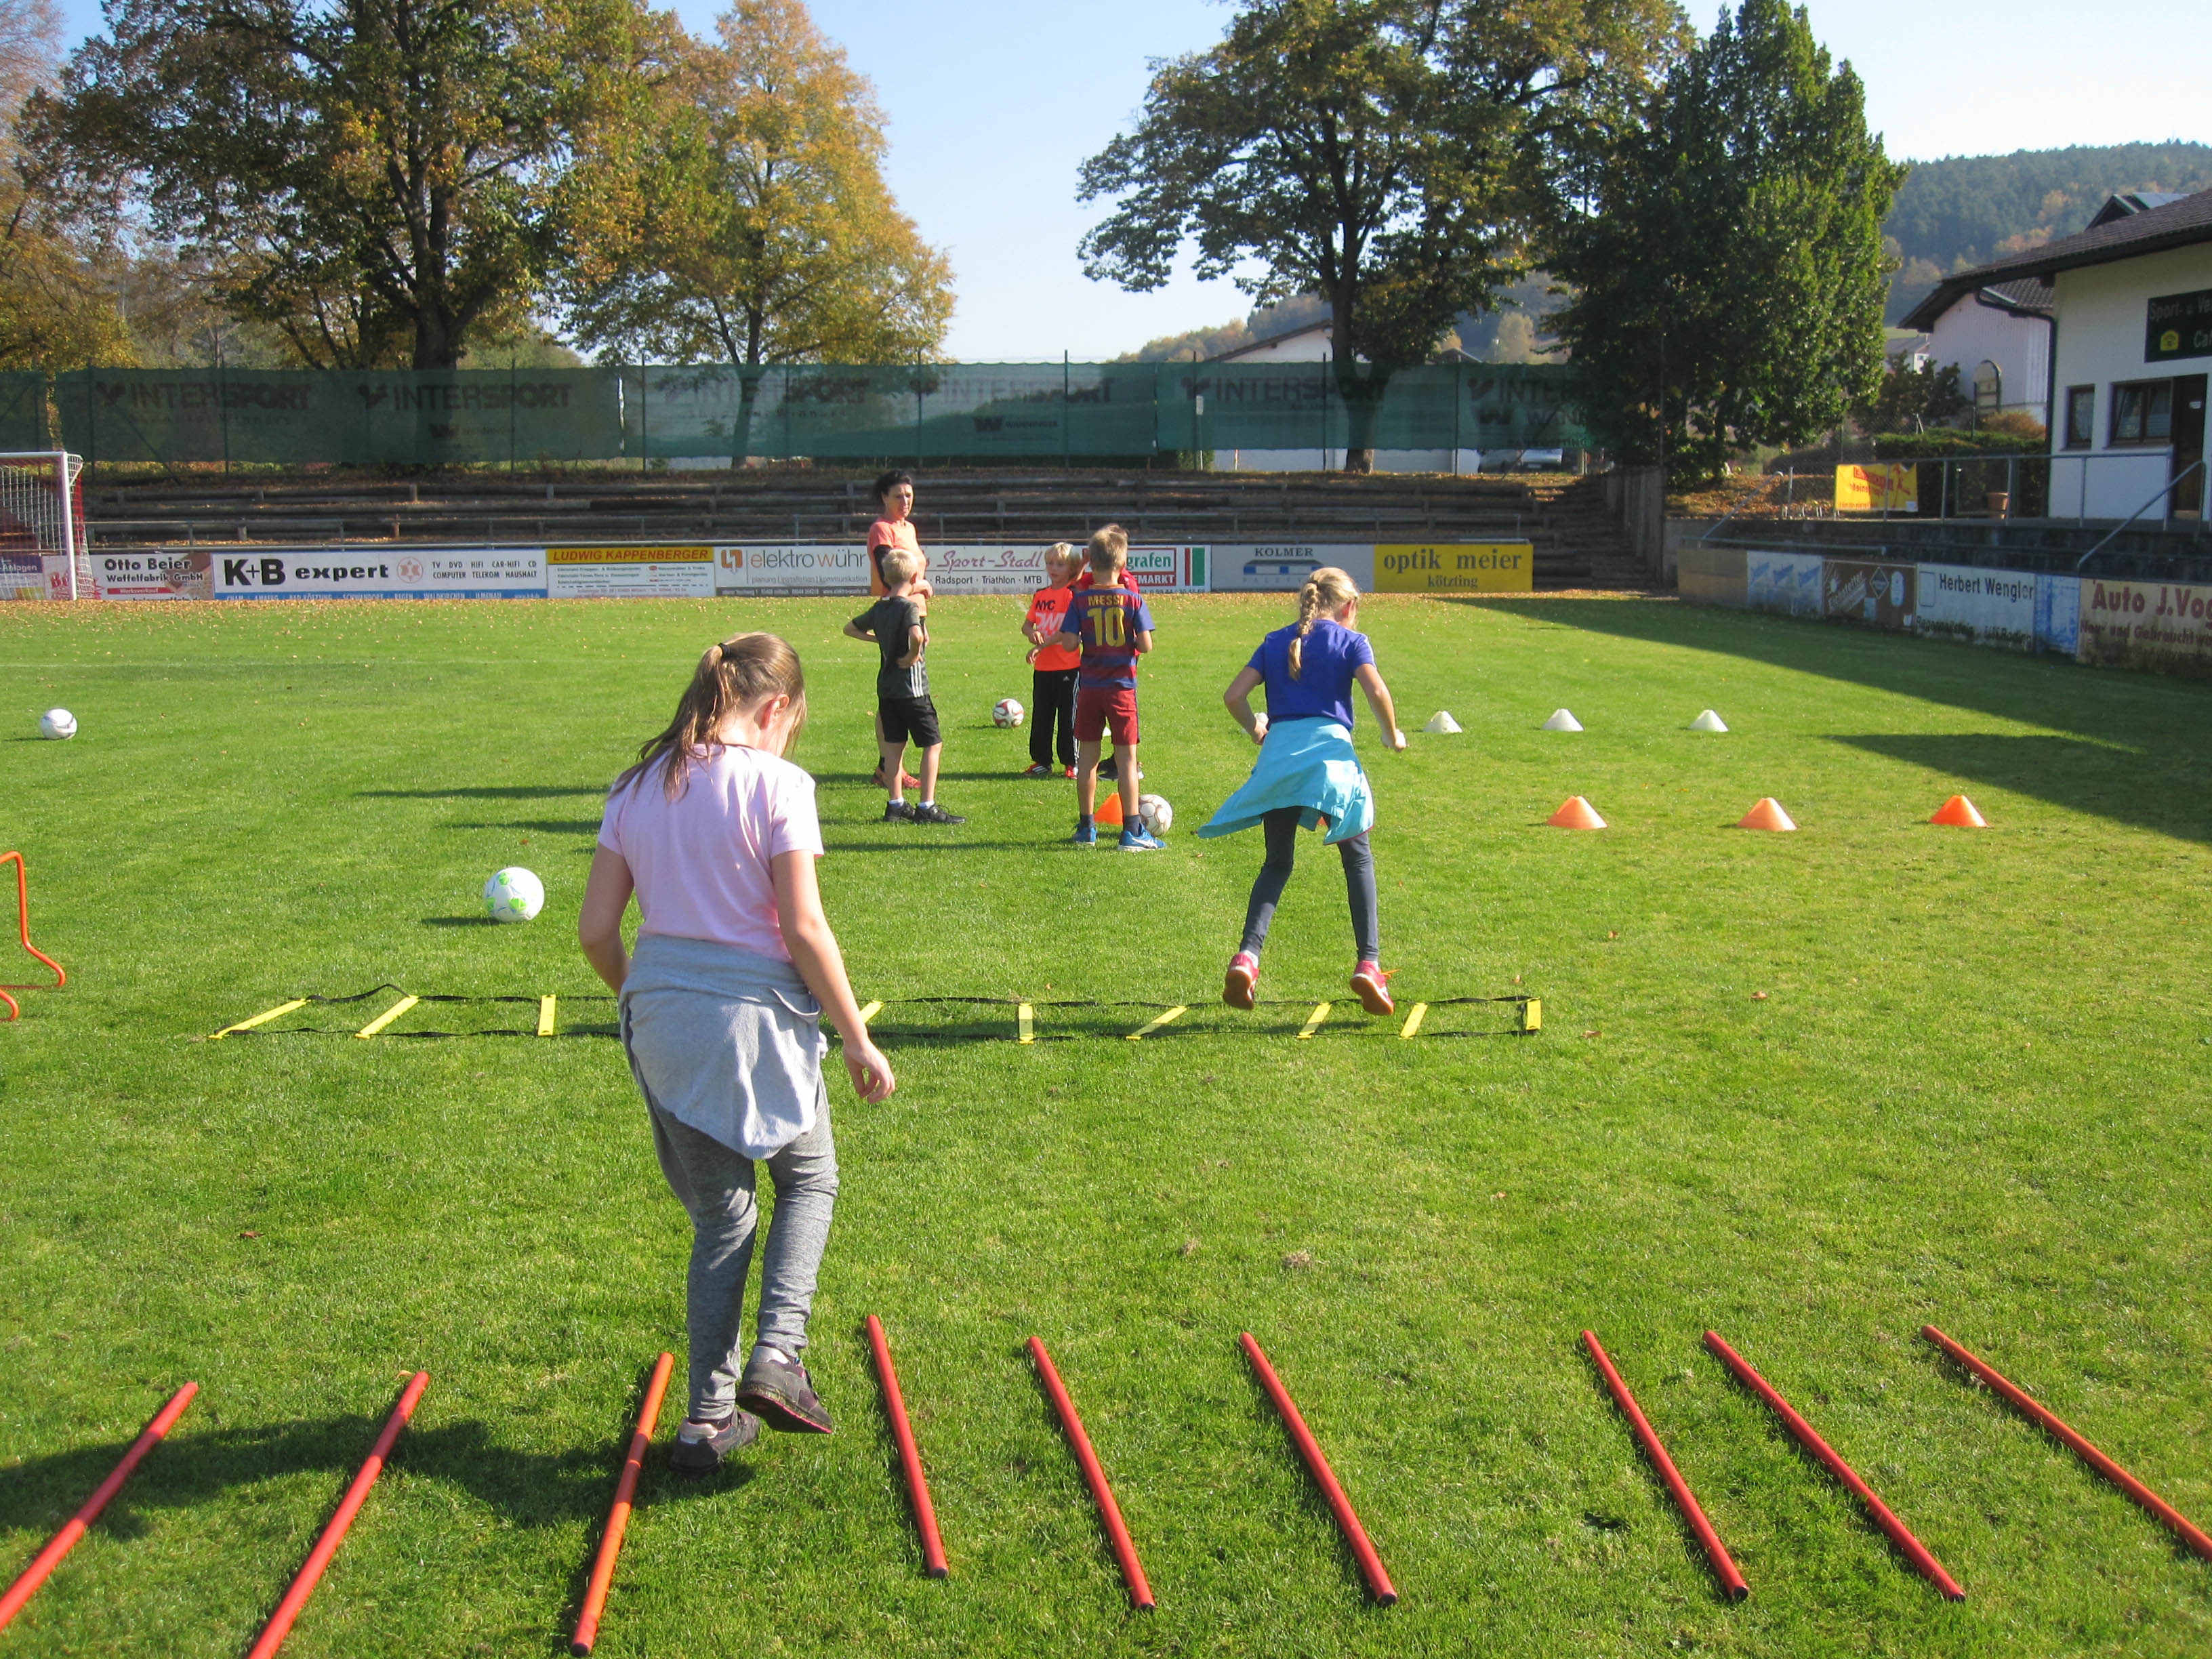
1576, 539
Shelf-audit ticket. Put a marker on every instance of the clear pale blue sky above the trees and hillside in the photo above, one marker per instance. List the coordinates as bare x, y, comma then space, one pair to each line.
997, 103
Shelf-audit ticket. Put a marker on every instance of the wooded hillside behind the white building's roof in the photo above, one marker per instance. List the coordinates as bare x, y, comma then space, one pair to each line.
1972, 209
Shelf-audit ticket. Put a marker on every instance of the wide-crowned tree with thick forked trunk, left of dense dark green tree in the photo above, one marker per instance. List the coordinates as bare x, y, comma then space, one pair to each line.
1386, 156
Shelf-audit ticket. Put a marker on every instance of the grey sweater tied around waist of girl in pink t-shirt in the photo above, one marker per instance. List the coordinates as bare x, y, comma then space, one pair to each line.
724, 1041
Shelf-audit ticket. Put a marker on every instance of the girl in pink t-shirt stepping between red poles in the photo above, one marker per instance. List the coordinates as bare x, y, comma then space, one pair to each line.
722, 1008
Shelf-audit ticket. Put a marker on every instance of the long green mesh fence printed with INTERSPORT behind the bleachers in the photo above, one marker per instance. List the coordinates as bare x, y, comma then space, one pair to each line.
835, 413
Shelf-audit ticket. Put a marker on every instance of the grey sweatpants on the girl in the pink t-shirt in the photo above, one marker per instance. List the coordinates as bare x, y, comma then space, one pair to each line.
716, 1189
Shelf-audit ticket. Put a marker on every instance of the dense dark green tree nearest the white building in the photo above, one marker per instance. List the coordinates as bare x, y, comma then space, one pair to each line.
1729, 271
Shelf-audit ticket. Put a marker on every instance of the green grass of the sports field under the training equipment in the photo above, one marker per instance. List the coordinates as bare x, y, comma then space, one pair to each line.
1974, 1096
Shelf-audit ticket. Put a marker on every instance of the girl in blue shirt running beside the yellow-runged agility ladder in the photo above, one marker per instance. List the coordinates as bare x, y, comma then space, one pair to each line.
1308, 773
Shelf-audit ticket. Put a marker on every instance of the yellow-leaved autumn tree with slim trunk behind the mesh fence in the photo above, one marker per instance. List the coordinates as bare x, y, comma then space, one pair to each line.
749, 220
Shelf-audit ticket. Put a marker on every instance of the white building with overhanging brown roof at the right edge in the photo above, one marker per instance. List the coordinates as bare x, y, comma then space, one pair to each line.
2129, 362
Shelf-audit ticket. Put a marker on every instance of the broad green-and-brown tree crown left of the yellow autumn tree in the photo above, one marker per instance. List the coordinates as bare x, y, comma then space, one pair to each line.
371, 178
